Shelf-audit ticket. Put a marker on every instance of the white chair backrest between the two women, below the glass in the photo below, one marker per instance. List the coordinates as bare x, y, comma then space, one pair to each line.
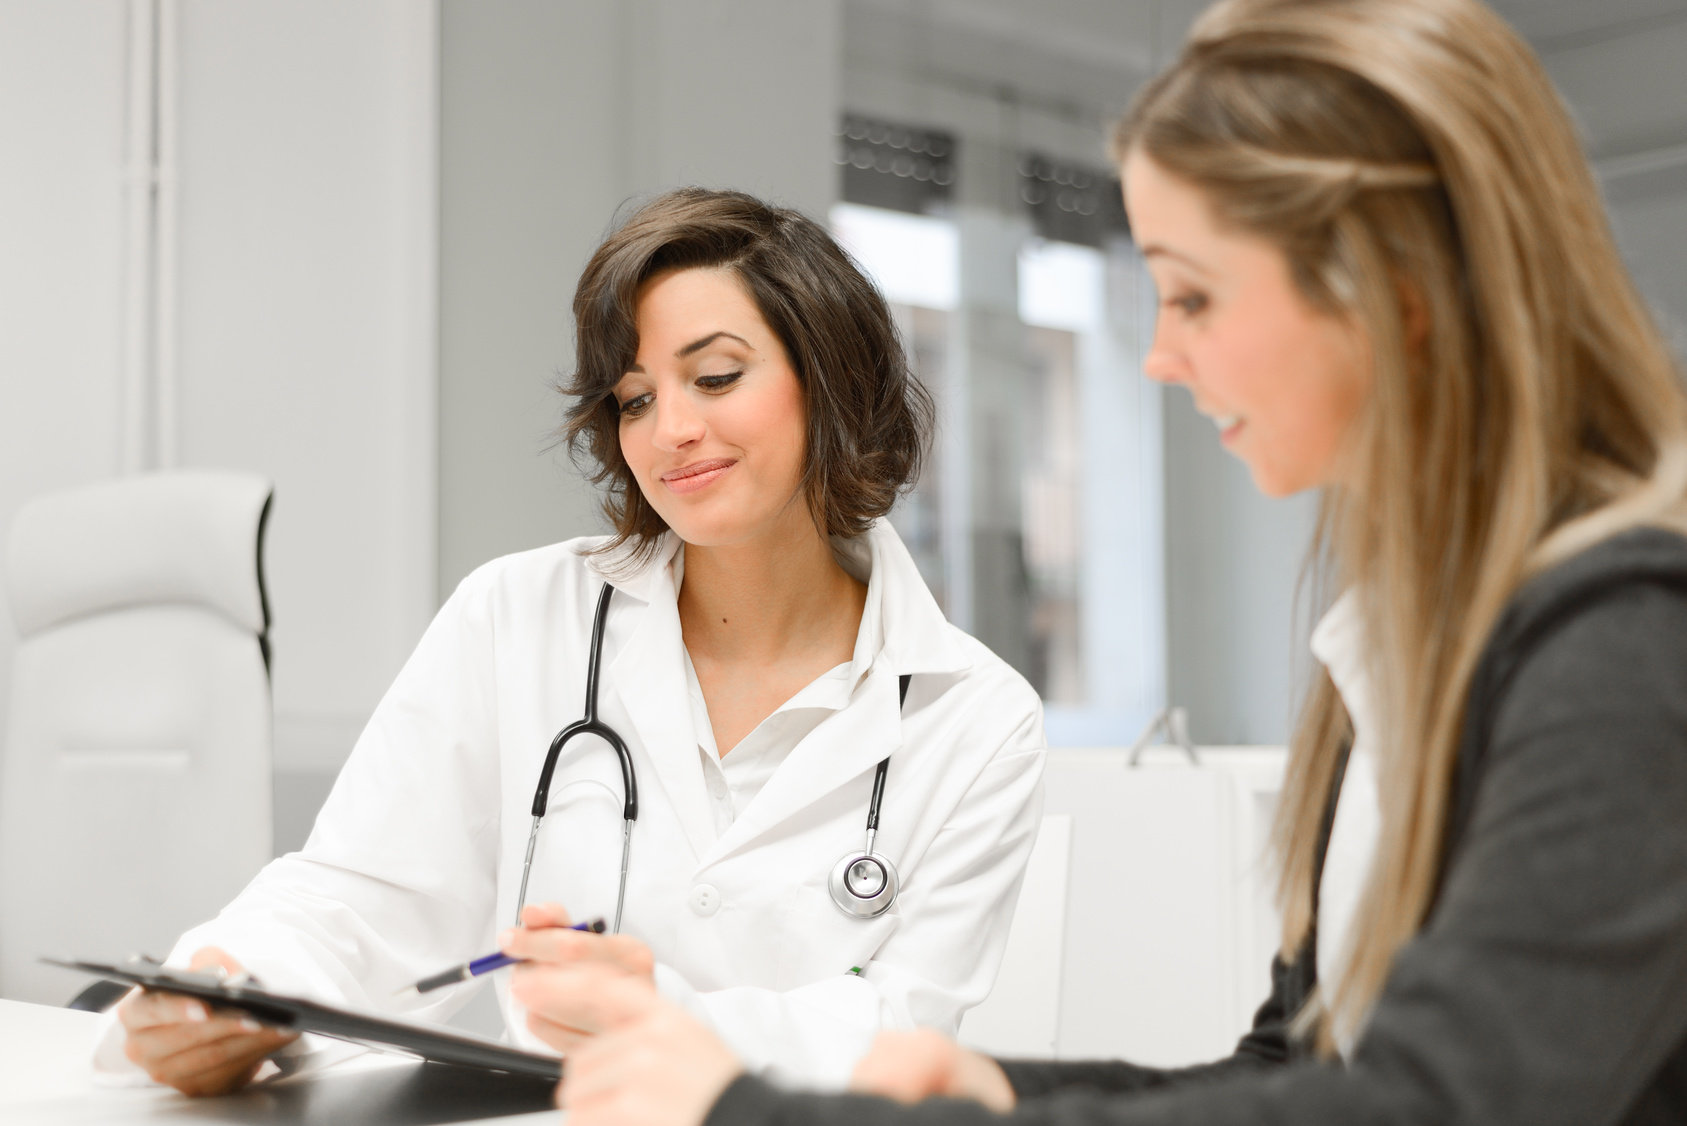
1146, 923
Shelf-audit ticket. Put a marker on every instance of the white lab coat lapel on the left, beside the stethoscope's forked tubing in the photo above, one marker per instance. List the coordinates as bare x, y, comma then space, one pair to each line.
649, 676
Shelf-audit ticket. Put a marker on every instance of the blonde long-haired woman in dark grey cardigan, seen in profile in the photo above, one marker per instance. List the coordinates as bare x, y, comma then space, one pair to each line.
1384, 273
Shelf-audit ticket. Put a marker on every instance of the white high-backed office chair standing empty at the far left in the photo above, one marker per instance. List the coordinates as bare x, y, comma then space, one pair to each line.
136, 772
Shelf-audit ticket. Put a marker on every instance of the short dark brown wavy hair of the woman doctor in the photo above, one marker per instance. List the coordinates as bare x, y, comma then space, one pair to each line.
870, 420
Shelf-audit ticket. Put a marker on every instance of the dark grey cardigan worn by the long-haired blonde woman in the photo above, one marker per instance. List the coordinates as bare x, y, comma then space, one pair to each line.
1550, 982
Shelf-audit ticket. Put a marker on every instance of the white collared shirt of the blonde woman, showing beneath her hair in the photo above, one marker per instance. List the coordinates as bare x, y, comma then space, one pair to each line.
1339, 642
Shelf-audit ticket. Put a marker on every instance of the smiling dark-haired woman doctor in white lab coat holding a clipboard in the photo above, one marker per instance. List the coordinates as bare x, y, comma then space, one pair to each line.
746, 403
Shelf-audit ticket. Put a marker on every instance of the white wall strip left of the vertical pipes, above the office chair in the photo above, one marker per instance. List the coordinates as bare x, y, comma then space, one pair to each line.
62, 227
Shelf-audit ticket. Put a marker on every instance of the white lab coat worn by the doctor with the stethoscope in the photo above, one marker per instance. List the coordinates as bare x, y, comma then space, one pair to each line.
416, 858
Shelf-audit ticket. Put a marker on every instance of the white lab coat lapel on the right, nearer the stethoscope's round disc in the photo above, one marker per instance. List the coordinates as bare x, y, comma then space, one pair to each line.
848, 745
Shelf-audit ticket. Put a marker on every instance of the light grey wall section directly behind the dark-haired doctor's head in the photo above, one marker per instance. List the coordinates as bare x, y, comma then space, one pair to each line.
554, 116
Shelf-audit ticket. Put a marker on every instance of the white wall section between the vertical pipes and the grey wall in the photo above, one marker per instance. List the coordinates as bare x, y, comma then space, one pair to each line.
308, 327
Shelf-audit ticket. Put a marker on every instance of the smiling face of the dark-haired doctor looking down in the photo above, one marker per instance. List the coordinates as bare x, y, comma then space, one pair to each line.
713, 418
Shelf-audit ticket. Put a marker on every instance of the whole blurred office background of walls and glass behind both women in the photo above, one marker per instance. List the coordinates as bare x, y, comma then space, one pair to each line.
335, 242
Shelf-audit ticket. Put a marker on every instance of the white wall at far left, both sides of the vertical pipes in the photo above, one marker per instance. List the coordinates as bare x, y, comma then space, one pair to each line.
306, 317
